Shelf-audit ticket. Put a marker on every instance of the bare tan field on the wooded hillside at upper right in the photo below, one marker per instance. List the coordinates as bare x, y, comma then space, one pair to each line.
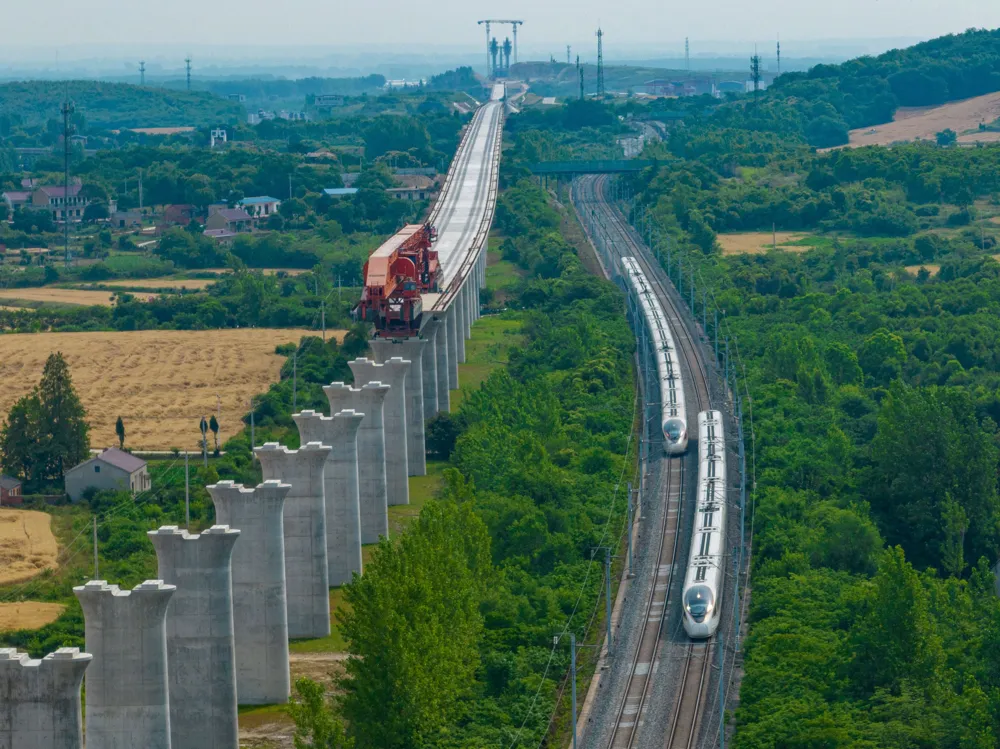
913, 123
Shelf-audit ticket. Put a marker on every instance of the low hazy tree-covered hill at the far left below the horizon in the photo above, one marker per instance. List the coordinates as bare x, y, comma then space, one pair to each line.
115, 105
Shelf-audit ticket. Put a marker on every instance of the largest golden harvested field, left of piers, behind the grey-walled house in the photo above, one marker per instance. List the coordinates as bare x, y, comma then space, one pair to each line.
159, 382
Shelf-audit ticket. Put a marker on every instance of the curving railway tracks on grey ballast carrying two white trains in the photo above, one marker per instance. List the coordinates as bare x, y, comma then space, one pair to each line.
684, 720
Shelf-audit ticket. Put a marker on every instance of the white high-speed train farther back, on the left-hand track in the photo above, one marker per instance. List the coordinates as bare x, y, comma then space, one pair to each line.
673, 415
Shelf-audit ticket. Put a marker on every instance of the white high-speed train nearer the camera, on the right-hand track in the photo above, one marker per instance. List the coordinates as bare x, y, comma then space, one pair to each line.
702, 596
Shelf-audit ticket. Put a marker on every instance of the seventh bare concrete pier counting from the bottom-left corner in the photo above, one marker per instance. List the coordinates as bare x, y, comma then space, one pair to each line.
372, 470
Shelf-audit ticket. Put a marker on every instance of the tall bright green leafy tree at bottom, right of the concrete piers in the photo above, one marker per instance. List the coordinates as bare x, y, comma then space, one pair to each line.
413, 629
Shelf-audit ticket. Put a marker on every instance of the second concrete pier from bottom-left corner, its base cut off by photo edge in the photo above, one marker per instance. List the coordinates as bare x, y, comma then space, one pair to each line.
127, 690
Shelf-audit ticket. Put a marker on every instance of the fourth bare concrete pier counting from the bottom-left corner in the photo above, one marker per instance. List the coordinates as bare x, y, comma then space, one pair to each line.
260, 619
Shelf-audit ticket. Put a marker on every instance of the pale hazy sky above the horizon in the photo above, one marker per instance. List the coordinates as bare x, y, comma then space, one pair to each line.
420, 26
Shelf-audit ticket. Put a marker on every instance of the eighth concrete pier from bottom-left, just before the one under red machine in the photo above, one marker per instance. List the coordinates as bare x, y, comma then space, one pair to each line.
392, 373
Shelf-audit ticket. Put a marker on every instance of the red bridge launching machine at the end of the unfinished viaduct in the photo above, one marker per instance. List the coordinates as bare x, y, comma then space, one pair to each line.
396, 275
